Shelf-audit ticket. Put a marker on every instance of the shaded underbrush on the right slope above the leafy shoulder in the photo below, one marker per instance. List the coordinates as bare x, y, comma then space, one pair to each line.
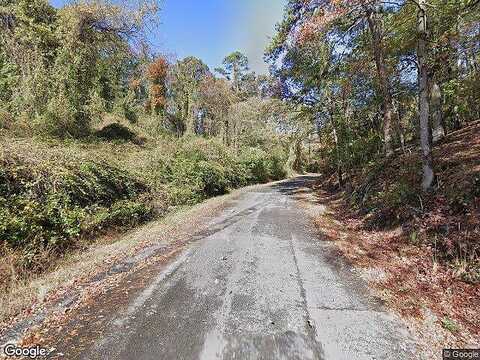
386, 194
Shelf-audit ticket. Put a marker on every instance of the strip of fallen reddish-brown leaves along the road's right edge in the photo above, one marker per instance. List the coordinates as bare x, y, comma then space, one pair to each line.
395, 275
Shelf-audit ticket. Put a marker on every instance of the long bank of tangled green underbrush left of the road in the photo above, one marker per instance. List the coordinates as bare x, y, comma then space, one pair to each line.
55, 195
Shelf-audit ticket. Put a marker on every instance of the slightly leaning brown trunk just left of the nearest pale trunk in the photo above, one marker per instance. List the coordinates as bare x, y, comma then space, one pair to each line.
375, 27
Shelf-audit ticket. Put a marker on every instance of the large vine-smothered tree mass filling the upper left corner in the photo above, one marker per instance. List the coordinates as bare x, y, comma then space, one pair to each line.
70, 61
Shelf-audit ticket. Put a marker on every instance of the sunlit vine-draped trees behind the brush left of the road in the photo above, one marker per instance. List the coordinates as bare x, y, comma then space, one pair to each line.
63, 70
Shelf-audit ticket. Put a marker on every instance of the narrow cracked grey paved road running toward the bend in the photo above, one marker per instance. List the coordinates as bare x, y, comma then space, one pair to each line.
259, 284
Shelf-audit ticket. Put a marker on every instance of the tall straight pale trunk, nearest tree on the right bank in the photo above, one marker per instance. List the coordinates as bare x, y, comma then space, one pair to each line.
426, 147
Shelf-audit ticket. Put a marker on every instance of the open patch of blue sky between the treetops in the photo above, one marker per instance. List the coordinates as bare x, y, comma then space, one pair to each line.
211, 29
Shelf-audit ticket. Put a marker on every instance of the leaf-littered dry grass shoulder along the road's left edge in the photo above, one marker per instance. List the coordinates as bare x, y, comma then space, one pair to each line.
38, 307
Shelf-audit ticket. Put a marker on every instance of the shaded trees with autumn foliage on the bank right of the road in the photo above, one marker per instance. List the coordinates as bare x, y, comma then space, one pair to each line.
377, 75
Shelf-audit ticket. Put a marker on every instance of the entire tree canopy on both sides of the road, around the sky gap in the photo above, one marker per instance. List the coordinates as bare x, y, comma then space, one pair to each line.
369, 77
